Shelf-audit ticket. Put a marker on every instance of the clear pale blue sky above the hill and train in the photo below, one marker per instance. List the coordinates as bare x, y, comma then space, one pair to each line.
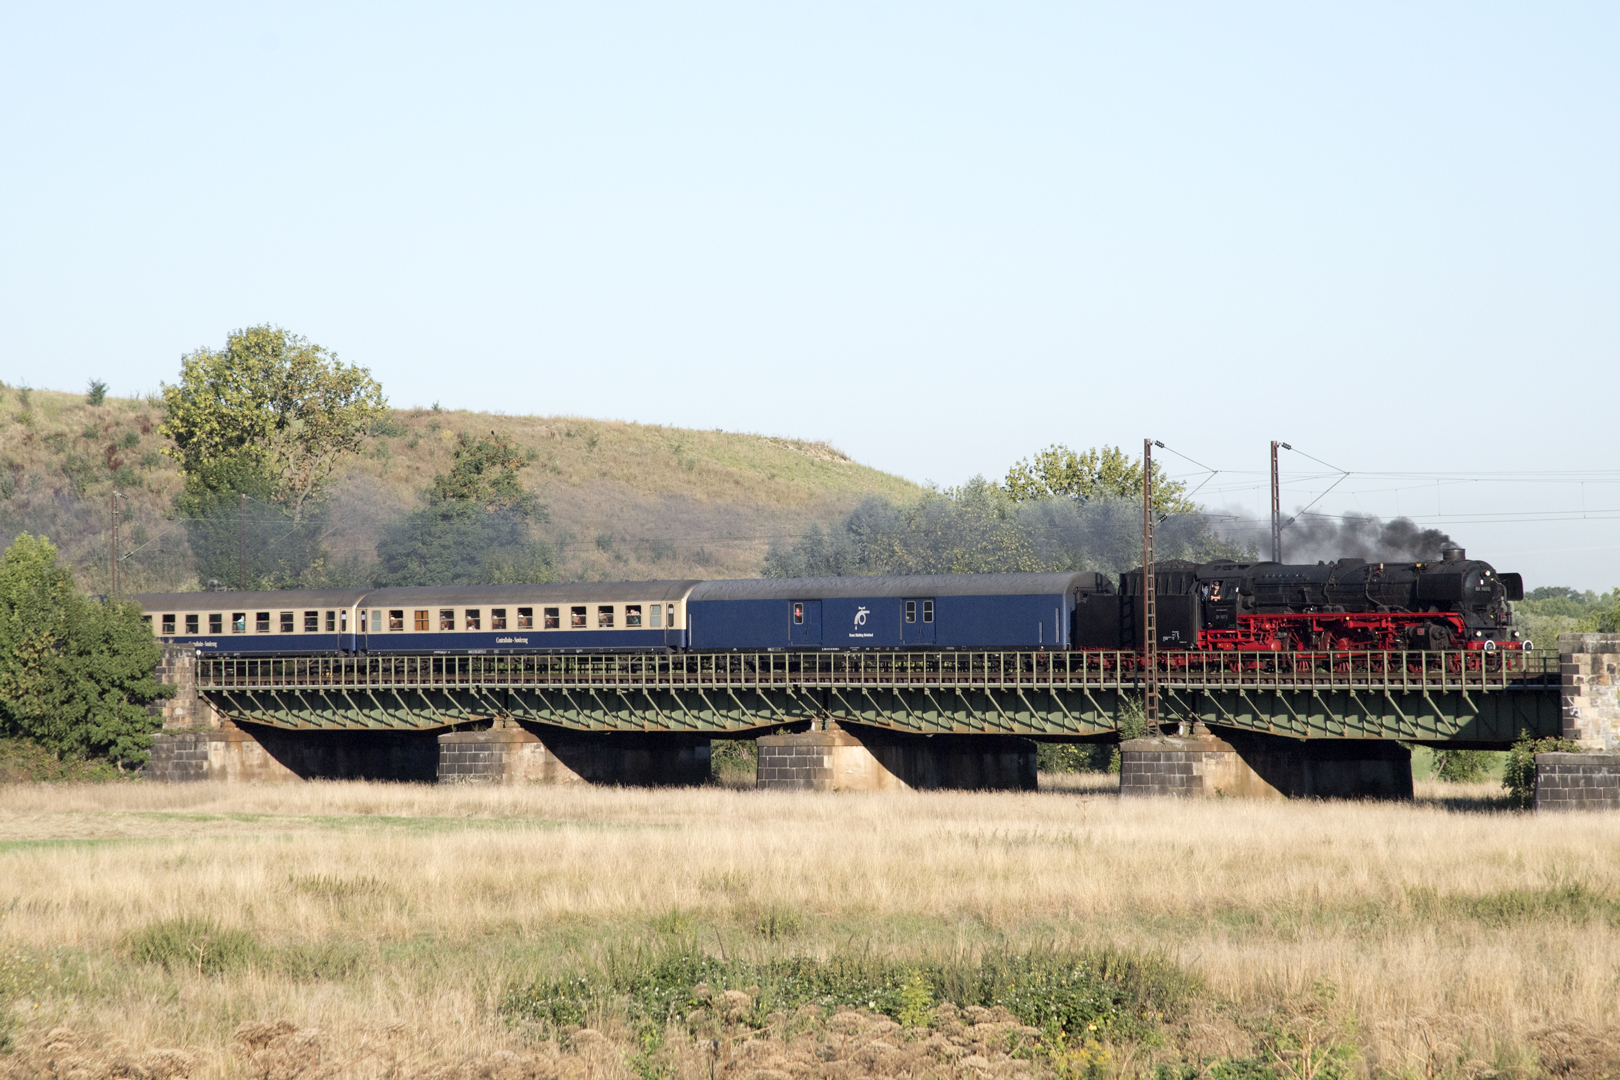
939, 236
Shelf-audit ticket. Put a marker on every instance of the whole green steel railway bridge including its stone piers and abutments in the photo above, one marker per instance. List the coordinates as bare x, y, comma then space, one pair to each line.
1256, 723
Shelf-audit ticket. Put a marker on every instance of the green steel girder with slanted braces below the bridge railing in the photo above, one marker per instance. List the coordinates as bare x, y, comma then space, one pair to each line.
1031, 712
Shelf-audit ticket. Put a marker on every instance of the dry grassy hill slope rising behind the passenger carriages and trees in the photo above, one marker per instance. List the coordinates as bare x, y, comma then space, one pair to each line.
626, 501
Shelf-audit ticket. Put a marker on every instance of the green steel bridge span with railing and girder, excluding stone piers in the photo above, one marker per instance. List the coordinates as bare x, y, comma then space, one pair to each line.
1462, 697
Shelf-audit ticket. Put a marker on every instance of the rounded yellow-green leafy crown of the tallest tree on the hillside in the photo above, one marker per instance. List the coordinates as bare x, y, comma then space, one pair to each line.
276, 402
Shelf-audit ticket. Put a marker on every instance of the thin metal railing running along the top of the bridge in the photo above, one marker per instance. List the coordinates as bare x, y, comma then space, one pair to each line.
1396, 673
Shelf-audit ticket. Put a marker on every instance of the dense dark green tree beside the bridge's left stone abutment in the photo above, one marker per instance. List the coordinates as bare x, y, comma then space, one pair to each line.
75, 676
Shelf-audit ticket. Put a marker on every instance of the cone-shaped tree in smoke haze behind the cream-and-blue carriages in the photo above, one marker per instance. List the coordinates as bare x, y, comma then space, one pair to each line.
477, 527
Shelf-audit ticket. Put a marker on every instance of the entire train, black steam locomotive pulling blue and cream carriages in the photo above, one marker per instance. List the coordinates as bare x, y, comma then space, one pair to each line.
1350, 605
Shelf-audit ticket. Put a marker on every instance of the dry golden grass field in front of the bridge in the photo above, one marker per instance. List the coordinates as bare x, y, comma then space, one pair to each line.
401, 930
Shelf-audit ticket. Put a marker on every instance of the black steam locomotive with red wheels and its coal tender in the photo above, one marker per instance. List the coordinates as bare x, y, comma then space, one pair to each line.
1352, 605
